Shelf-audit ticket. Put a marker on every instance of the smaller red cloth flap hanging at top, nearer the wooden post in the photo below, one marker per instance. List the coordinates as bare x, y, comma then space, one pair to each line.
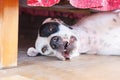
44, 3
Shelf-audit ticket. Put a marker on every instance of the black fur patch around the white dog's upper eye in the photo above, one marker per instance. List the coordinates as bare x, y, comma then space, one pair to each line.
48, 28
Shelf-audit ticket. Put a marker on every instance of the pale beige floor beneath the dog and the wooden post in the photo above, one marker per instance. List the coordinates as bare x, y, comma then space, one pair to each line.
85, 67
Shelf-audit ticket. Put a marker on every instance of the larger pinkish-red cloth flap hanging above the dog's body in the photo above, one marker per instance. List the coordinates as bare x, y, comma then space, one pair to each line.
103, 5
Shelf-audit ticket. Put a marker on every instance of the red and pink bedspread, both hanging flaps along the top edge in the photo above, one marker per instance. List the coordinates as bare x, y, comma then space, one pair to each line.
103, 5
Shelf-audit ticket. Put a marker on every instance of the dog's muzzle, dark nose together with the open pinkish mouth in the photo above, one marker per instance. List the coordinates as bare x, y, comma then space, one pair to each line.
64, 47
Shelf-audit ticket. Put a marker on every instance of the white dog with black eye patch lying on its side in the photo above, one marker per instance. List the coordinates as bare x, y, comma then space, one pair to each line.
96, 34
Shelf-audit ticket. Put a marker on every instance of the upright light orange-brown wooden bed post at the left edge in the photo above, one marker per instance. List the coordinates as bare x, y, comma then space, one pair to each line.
8, 33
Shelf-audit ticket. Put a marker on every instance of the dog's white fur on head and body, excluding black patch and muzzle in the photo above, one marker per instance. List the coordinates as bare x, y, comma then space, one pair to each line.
96, 34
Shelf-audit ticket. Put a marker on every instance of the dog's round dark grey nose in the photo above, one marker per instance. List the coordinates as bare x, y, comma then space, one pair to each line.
56, 42
